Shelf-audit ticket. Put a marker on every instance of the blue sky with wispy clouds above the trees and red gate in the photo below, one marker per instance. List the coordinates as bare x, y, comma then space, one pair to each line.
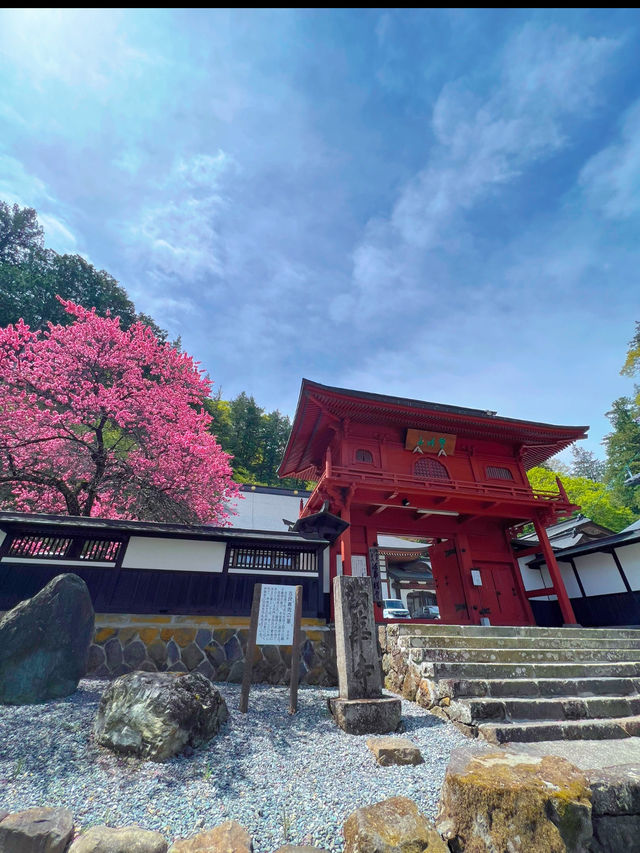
442, 205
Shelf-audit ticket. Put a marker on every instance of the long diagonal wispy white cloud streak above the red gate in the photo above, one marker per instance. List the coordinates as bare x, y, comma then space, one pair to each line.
481, 144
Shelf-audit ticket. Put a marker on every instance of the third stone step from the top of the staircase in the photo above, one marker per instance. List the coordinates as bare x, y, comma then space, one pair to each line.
497, 655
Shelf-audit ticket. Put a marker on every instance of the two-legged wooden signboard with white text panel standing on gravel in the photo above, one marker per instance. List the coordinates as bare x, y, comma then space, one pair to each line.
275, 621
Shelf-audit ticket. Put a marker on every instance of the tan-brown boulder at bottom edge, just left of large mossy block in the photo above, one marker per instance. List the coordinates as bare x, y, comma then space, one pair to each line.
392, 826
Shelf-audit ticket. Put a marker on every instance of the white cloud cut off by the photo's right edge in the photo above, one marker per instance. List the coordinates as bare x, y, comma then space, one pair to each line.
611, 179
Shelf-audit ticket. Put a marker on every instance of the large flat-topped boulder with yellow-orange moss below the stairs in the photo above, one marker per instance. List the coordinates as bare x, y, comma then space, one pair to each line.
501, 802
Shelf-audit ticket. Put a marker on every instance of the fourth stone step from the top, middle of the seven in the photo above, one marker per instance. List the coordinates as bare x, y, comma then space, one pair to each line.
481, 671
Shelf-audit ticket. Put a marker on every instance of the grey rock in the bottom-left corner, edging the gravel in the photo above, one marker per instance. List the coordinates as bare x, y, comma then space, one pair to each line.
36, 831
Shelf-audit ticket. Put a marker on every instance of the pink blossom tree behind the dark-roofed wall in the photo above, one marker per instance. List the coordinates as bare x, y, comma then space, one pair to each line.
96, 420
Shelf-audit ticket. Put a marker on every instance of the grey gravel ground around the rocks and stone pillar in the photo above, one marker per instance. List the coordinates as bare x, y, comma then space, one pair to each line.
285, 778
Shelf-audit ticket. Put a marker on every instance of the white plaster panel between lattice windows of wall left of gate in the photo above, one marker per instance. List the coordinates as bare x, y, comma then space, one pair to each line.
179, 554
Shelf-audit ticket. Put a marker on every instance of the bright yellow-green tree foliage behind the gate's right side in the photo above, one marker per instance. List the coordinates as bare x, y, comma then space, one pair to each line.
595, 500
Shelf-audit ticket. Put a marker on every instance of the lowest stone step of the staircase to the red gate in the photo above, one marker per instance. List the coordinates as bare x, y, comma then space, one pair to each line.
560, 730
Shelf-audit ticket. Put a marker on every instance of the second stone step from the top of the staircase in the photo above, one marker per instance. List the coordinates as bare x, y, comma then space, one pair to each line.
445, 642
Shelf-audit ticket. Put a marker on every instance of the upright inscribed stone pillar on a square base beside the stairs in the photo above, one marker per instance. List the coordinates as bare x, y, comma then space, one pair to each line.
360, 708
